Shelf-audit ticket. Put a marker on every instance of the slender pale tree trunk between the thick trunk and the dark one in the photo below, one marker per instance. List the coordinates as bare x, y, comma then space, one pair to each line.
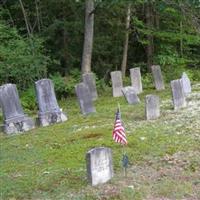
125, 51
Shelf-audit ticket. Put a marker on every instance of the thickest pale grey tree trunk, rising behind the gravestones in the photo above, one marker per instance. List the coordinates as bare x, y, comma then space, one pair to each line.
88, 36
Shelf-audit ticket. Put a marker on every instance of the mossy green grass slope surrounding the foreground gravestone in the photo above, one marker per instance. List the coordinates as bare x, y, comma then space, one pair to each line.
49, 162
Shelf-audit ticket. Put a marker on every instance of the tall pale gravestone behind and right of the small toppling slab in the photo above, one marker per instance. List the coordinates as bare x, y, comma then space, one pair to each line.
136, 81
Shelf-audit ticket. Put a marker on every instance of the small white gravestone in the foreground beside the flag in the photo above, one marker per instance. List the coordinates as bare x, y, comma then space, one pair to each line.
99, 165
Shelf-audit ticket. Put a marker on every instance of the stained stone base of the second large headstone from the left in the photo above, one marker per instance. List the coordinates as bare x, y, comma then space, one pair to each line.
48, 118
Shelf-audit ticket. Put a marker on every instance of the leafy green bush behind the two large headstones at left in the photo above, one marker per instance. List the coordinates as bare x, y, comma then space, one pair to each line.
21, 59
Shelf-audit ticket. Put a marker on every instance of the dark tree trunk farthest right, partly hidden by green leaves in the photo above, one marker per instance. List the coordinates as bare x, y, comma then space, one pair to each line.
150, 45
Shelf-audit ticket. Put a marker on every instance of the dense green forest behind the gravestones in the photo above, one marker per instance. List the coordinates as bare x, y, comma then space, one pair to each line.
44, 38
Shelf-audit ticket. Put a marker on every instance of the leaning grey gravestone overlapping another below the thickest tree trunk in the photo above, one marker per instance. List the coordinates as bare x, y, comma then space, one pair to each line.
84, 98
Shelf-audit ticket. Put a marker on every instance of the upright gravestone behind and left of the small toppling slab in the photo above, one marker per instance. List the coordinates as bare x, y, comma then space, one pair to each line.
117, 84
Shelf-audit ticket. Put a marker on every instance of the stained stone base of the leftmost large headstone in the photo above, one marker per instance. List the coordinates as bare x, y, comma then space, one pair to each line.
18, 125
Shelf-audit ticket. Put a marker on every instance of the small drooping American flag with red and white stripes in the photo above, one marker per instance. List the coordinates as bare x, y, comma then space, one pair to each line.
119, 135
